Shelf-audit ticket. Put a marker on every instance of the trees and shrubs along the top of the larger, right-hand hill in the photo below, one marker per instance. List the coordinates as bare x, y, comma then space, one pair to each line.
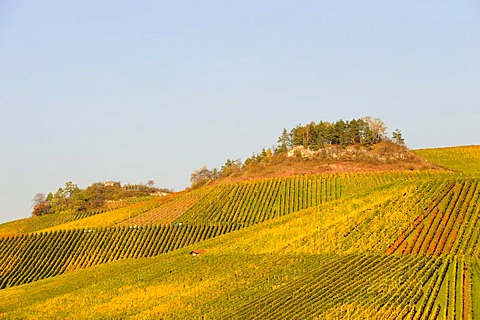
314, 136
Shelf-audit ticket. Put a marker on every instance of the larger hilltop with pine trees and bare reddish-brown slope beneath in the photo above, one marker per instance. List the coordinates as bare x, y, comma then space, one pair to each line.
357, 145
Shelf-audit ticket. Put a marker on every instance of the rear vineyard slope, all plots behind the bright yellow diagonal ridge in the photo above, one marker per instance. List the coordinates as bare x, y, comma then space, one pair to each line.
101, 238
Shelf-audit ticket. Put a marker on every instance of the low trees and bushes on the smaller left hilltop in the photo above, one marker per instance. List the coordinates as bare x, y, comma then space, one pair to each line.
71, 198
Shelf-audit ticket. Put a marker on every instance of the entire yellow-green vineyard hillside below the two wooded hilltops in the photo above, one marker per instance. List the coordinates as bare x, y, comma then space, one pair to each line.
378, 245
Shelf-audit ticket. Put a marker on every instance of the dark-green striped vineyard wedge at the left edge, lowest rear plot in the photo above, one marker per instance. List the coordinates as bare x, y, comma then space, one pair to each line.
33, 257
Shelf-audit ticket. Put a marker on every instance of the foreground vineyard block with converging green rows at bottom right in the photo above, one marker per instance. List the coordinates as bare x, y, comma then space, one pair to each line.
370, 287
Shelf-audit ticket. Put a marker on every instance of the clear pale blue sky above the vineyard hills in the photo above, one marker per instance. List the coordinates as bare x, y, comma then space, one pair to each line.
137, 90
